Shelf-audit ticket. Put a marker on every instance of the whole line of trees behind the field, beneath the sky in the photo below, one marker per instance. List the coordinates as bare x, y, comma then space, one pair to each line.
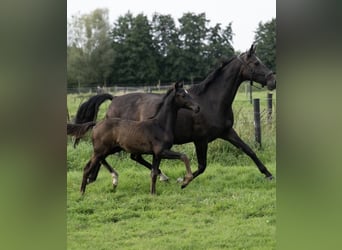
137, 51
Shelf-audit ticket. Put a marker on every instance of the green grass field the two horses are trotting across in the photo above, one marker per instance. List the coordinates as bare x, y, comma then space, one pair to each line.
230, 206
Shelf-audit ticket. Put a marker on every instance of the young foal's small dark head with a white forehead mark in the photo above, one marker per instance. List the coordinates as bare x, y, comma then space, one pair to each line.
183, 98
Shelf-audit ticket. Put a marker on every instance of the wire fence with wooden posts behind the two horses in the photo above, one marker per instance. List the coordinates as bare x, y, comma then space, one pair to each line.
248, 115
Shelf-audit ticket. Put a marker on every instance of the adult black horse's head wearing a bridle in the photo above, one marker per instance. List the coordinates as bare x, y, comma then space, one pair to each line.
255, 70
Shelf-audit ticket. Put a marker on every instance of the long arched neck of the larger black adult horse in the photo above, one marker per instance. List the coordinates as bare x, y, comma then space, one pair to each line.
223, 89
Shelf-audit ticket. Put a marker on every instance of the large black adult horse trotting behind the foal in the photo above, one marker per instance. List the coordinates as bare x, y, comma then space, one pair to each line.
215, 96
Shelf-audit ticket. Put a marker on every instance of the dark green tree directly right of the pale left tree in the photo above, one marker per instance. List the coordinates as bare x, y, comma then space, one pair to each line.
135, 59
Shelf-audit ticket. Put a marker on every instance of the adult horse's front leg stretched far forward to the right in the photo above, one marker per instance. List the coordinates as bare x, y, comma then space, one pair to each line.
234, 139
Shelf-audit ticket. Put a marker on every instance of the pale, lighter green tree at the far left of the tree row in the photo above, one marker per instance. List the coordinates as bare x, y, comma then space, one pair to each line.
89, 50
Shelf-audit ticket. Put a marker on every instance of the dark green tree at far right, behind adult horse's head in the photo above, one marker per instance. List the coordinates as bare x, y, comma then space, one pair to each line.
265, 37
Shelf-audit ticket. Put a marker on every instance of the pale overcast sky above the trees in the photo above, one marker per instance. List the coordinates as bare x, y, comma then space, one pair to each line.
245, 15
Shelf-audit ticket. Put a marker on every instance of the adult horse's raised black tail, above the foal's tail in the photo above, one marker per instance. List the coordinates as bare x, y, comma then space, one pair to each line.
88, 110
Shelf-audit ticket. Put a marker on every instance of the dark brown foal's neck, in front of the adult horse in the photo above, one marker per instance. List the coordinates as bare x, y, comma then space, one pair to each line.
167, 115
